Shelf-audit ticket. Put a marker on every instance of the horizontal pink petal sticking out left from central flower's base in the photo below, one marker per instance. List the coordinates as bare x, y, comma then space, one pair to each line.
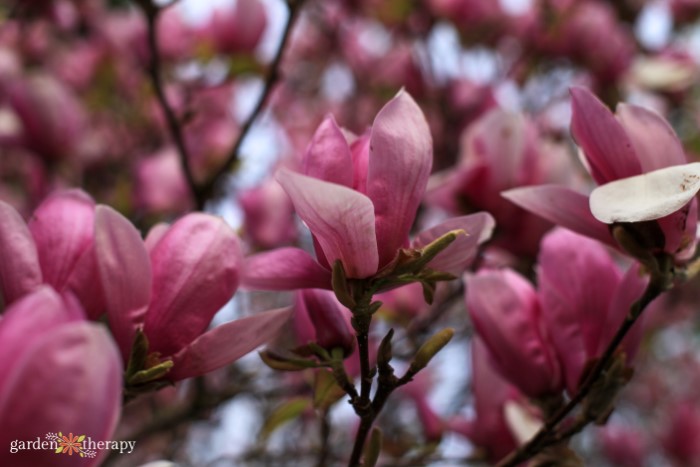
284, 269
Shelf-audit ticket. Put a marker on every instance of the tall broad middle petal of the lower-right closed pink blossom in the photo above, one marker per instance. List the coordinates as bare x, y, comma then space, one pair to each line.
577, 280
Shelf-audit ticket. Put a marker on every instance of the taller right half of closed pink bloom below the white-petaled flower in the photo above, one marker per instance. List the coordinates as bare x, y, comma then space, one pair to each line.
584, 299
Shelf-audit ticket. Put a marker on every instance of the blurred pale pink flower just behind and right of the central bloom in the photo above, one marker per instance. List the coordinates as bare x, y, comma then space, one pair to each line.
502, 150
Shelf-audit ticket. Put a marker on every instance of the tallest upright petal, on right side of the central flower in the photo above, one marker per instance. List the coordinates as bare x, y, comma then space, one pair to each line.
400, 159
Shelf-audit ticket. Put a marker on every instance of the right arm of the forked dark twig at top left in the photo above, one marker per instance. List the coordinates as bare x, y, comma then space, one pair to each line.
273, 75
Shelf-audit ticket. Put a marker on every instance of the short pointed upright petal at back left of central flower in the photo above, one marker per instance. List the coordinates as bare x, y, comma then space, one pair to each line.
328, 156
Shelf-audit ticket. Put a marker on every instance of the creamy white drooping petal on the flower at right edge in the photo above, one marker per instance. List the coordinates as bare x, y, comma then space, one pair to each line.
648, 196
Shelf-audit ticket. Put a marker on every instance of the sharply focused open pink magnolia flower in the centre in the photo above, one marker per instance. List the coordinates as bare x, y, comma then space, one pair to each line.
359, 199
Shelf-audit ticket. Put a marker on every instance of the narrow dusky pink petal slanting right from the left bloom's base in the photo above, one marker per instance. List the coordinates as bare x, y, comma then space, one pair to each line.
227, 343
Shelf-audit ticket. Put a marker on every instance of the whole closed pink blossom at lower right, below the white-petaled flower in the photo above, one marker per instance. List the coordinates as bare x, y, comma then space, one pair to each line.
541, 340
